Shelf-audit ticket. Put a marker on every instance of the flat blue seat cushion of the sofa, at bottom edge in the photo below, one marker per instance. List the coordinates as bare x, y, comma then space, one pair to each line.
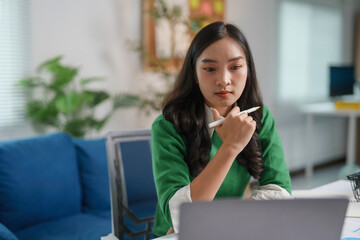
80, 226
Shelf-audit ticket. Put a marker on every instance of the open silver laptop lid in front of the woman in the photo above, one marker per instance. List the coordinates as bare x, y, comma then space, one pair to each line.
233, 219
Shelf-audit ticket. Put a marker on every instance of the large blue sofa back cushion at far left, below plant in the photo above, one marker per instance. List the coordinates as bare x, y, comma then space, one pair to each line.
39, 180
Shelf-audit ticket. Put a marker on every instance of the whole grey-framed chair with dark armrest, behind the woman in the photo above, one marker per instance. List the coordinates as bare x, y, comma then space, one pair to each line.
133, 194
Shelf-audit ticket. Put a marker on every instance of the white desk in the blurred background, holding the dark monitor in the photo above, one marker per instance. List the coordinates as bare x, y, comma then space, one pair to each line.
328, 109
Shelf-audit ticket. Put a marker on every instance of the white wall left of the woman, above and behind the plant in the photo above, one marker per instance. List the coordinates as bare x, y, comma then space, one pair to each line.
93, 35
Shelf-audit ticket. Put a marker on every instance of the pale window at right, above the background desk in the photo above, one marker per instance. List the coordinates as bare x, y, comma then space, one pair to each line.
310, 40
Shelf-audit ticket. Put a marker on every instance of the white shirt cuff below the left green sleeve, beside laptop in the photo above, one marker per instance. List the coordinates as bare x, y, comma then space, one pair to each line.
181, 196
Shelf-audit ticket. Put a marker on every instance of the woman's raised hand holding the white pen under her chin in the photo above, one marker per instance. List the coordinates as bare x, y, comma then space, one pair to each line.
236, 131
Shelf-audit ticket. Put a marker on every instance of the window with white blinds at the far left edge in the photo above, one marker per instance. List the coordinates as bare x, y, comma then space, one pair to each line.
15, 60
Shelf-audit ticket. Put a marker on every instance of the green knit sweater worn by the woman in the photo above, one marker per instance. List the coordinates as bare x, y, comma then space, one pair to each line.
172, 173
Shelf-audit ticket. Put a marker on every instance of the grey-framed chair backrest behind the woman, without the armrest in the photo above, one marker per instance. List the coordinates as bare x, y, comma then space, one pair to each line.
130, 170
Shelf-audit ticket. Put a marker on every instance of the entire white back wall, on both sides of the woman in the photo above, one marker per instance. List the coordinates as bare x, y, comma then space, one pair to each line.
92, 34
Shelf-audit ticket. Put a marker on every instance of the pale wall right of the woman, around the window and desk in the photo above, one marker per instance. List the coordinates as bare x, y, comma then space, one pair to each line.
258, 20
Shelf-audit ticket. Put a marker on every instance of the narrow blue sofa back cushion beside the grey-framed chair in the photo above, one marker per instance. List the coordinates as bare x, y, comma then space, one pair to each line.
94, 174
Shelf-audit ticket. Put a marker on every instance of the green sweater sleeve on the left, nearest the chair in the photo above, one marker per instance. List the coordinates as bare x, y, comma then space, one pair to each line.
171, 172
